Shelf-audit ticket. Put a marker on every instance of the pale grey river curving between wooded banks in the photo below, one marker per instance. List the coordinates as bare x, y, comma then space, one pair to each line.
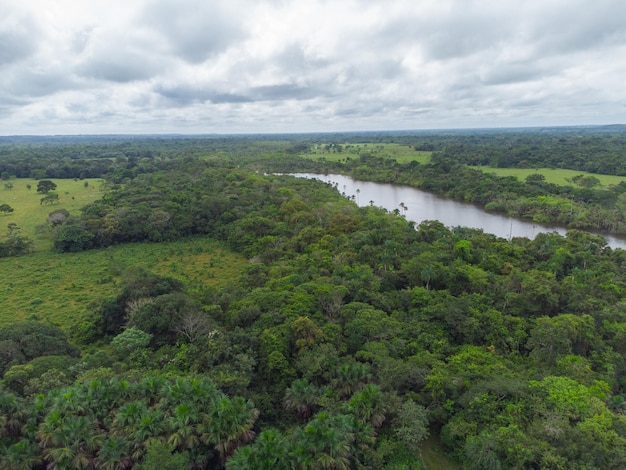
417, 206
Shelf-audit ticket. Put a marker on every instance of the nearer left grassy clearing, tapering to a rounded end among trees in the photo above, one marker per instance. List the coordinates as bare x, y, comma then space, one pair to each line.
59, 287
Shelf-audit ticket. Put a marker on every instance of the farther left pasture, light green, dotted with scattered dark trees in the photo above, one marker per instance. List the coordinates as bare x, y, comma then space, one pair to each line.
30, 213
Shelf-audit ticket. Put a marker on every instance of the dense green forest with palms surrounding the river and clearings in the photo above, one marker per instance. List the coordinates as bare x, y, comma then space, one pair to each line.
351, 334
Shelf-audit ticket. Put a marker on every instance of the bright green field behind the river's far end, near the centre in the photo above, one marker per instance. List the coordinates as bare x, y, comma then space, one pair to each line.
340, 153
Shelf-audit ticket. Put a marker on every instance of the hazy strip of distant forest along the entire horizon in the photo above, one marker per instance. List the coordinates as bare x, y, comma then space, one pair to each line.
593, 149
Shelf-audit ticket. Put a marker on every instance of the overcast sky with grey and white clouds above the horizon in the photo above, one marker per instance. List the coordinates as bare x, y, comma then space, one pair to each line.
246, 66
